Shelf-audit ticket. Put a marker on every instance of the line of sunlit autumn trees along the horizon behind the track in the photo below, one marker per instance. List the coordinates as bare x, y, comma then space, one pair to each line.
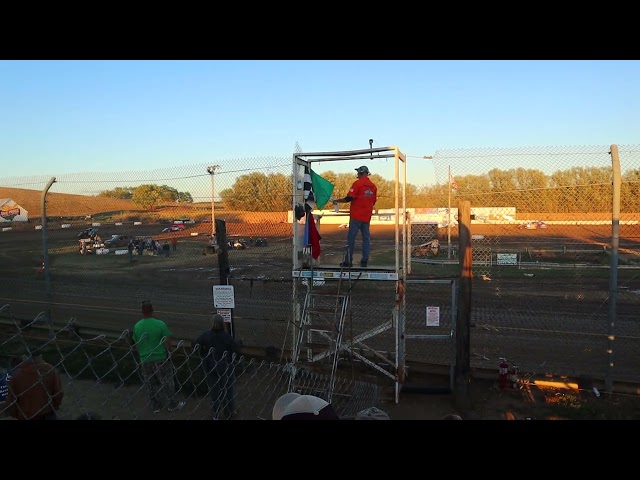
577, 189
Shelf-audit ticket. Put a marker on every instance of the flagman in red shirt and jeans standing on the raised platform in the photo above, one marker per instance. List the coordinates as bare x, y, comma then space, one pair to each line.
362, 196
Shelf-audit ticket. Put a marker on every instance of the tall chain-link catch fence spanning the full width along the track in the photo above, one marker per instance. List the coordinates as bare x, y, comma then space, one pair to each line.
541, 233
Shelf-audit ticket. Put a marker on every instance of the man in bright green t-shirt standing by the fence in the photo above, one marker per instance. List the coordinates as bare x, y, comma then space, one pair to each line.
152, 339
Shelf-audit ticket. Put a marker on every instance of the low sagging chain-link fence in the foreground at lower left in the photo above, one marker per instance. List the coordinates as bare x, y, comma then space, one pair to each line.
102, 379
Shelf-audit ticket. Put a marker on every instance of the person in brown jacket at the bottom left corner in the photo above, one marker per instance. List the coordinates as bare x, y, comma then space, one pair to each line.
35, 390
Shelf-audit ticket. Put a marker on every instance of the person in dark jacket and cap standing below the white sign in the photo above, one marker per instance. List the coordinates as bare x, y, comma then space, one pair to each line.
219, 352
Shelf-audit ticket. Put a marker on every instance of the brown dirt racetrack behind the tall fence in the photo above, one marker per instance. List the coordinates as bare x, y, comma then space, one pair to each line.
553, 321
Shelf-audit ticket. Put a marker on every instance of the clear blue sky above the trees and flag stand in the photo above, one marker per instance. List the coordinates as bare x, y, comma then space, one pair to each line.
59, 117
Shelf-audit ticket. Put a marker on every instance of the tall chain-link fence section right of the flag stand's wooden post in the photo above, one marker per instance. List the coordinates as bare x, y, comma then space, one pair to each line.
542, 245
